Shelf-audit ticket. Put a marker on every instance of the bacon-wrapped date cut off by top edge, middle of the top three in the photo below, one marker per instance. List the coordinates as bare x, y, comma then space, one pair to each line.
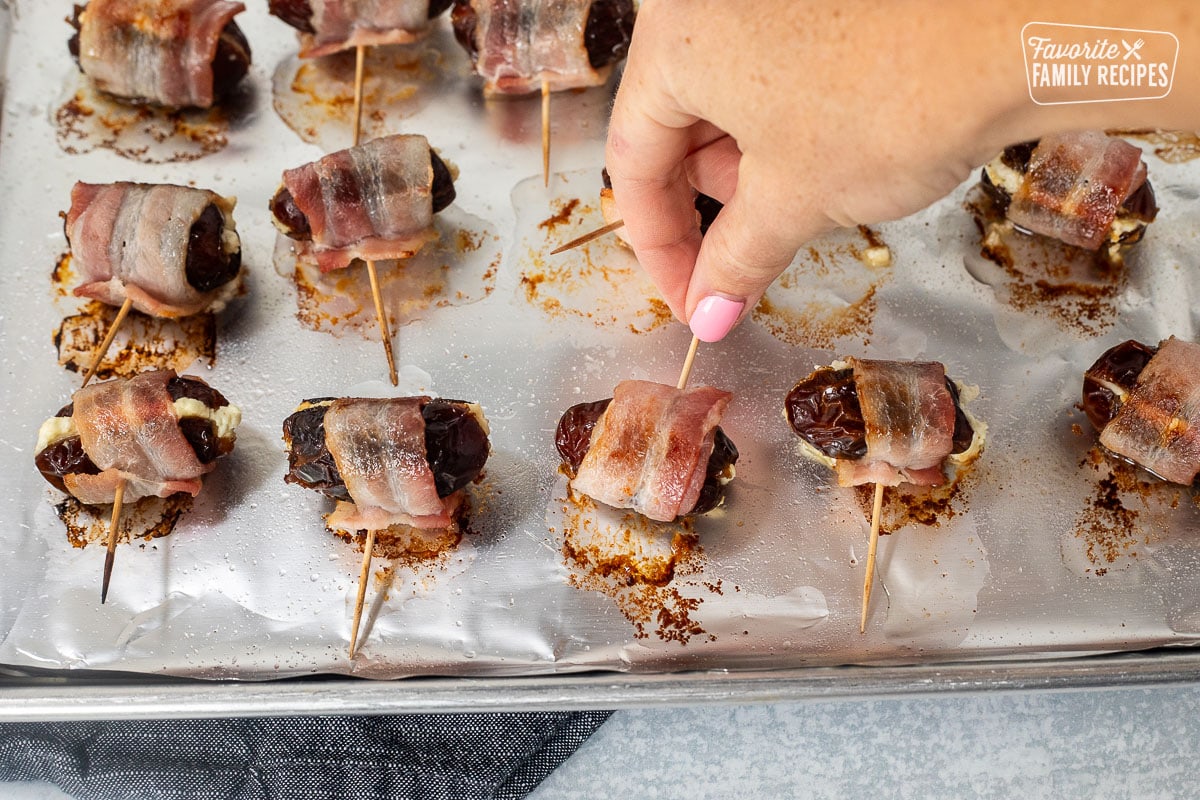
332, 26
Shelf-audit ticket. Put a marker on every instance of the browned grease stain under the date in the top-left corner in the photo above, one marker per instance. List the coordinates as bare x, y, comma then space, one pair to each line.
92, 121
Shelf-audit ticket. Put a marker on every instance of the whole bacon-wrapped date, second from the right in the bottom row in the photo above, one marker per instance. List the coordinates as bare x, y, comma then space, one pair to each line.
884, 422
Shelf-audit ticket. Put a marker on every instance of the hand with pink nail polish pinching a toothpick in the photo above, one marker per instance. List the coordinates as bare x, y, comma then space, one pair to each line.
802, 116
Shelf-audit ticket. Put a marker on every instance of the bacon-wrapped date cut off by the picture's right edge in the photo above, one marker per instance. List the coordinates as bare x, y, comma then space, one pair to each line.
1155, 411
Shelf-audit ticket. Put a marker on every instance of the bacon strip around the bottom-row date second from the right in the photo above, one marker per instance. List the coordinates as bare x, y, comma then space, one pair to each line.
910, 424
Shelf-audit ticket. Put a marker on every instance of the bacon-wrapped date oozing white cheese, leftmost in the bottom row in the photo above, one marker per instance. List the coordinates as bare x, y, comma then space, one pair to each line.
134, 431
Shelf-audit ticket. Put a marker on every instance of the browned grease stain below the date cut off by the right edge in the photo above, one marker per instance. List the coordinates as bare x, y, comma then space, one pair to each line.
1109, 528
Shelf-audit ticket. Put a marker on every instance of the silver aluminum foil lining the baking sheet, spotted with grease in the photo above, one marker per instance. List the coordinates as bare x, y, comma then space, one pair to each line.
1027, 558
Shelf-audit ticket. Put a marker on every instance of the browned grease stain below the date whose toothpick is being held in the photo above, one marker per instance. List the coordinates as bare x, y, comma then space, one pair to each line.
645, 590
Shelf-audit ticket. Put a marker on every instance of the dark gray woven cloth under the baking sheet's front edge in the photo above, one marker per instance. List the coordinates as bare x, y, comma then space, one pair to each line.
485, 756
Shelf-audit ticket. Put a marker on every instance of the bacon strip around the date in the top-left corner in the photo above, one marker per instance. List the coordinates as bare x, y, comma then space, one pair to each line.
154, 51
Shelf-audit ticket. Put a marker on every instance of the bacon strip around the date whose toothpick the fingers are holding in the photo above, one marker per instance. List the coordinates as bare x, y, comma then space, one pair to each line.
651, 448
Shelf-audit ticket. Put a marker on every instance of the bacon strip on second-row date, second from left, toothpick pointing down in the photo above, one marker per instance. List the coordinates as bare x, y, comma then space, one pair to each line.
373, 202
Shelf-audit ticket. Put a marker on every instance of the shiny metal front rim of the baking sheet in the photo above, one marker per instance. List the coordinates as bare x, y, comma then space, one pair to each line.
107, 696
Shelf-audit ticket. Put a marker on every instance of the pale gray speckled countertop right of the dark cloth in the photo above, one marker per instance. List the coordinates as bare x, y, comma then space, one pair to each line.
1099, 745
